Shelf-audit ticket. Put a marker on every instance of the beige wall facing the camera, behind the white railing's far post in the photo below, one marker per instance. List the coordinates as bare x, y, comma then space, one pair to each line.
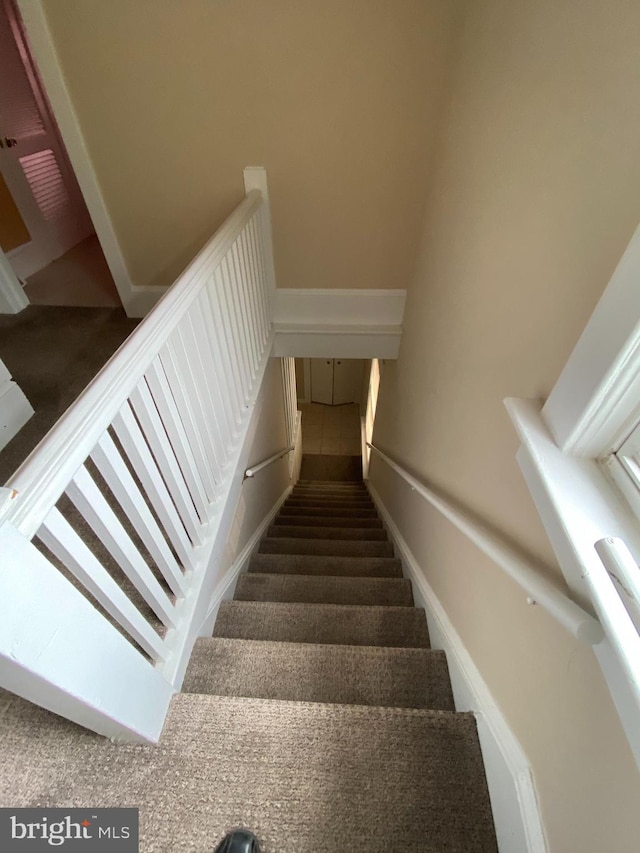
337, 99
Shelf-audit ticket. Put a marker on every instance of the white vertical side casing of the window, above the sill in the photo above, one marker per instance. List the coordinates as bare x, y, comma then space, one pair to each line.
595, 402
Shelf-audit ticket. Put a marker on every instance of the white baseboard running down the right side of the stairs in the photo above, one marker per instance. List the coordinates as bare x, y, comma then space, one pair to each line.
512, 791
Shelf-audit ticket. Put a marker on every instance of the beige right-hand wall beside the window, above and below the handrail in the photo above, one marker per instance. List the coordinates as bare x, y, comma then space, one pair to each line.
536, 193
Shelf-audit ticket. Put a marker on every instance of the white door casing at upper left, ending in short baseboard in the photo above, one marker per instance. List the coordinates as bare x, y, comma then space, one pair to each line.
46, 58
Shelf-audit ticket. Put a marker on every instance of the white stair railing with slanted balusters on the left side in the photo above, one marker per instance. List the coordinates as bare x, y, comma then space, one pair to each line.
123, 500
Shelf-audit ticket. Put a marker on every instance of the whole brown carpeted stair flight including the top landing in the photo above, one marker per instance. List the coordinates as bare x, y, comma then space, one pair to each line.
316, 714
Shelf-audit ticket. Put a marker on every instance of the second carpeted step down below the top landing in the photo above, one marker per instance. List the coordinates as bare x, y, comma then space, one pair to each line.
342, 624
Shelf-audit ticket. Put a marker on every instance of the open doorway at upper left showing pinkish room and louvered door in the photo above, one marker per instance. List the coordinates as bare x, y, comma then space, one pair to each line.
46, 232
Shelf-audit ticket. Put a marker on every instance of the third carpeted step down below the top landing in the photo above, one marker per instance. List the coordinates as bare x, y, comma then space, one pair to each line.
321, 589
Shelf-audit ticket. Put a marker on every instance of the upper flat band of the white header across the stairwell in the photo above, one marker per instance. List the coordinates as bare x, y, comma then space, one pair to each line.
343, 306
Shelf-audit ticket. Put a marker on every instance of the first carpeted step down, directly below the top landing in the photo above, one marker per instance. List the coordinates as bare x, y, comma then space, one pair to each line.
307, 672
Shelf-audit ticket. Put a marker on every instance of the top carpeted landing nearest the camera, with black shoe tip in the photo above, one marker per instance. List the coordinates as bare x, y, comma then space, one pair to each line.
304, 776
